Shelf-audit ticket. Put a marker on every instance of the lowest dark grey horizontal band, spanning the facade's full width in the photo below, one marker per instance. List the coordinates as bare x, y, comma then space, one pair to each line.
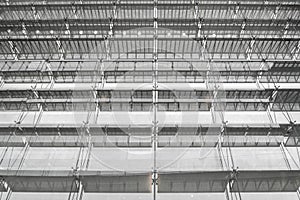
175, 182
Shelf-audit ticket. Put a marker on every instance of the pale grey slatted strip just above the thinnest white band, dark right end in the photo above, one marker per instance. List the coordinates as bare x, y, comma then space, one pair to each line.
236, 65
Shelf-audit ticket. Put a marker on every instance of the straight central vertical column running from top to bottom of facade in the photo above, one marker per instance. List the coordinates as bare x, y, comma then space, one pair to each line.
154, 101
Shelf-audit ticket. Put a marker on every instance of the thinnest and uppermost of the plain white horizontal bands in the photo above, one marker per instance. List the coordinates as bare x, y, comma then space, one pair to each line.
147, 86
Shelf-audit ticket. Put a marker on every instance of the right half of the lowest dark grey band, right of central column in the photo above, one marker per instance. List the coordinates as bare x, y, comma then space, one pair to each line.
247, 181
